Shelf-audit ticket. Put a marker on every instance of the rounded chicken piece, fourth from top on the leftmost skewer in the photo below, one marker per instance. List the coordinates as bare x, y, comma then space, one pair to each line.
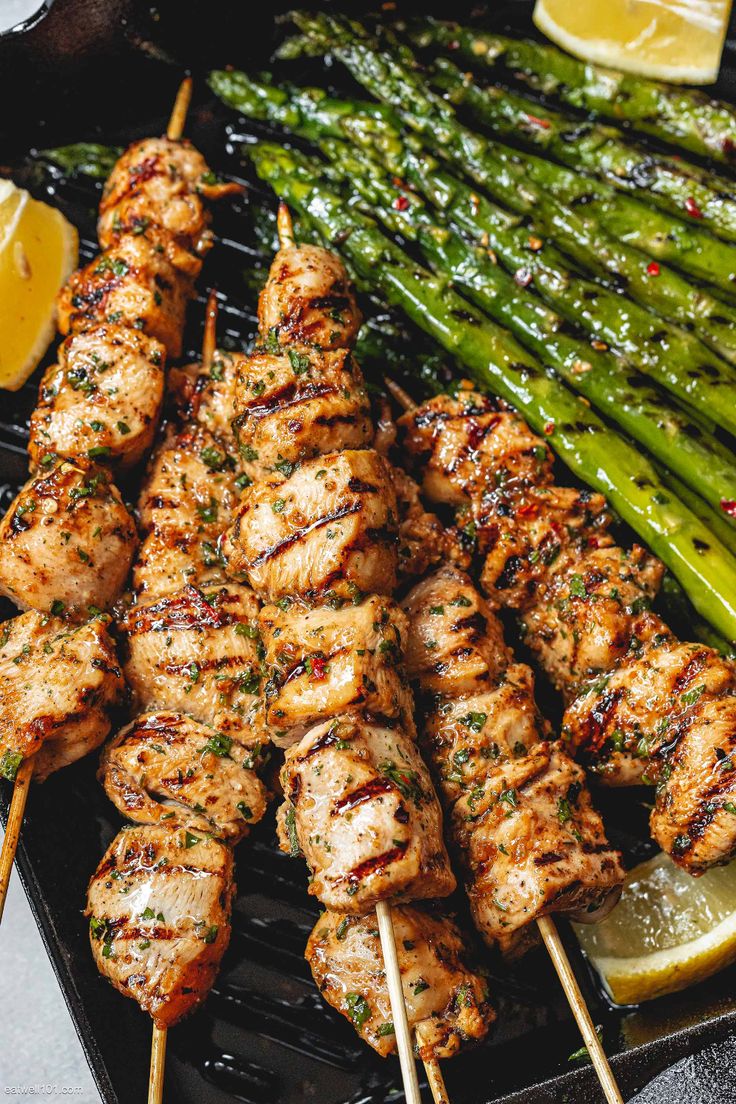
67, 542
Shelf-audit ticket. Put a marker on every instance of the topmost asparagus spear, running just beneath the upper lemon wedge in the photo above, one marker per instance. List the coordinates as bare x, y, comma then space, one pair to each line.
681, 116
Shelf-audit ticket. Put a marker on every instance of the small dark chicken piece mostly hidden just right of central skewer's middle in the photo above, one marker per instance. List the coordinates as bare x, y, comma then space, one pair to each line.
423, 540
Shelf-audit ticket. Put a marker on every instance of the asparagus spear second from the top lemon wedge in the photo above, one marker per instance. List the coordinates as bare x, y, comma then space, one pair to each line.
687, 190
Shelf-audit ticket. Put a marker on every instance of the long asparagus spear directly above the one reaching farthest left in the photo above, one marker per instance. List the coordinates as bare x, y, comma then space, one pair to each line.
506, 174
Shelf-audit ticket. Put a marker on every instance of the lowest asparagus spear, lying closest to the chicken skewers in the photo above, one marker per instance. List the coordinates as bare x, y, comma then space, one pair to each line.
498, 363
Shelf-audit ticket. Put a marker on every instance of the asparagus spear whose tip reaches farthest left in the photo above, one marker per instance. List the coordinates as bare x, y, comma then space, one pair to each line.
667, 354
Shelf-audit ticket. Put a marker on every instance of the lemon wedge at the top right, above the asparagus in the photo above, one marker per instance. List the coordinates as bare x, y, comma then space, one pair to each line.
675, 40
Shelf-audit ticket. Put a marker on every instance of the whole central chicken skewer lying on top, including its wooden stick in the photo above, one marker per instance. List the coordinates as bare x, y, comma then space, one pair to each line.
318, 533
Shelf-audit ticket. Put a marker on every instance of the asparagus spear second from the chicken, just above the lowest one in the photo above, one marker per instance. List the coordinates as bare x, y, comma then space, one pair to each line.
644, 412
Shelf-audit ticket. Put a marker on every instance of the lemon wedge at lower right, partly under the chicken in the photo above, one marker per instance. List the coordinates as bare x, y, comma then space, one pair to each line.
668, 931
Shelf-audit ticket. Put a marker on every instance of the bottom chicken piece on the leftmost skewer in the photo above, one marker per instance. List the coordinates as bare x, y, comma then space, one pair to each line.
58, 685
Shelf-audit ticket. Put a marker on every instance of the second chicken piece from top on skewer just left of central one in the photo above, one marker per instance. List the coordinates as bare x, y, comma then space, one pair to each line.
187, 502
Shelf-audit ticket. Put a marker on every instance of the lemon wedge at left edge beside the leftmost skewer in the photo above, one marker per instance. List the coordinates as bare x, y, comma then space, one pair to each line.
38, 251
